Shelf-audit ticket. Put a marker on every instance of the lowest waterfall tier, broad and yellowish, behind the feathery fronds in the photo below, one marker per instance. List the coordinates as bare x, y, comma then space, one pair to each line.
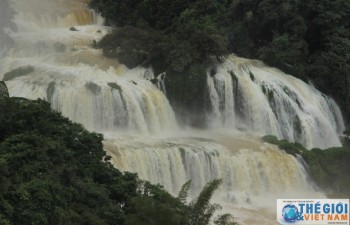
254, 174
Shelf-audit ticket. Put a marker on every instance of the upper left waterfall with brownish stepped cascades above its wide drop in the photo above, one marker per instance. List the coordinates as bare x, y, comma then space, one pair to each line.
65, 70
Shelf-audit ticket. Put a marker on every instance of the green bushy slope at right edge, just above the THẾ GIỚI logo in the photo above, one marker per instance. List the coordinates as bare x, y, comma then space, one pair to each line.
329, 168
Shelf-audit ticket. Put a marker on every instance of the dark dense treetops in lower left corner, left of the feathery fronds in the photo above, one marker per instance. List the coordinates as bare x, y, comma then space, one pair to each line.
52, 170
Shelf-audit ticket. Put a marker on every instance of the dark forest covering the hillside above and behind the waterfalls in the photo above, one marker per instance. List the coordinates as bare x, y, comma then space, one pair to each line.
307, 39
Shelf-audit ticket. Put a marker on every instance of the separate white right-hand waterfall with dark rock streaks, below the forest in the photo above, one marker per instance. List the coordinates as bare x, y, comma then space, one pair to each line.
247, 94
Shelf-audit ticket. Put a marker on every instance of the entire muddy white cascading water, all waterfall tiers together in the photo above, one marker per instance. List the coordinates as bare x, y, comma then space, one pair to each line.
62, 68
